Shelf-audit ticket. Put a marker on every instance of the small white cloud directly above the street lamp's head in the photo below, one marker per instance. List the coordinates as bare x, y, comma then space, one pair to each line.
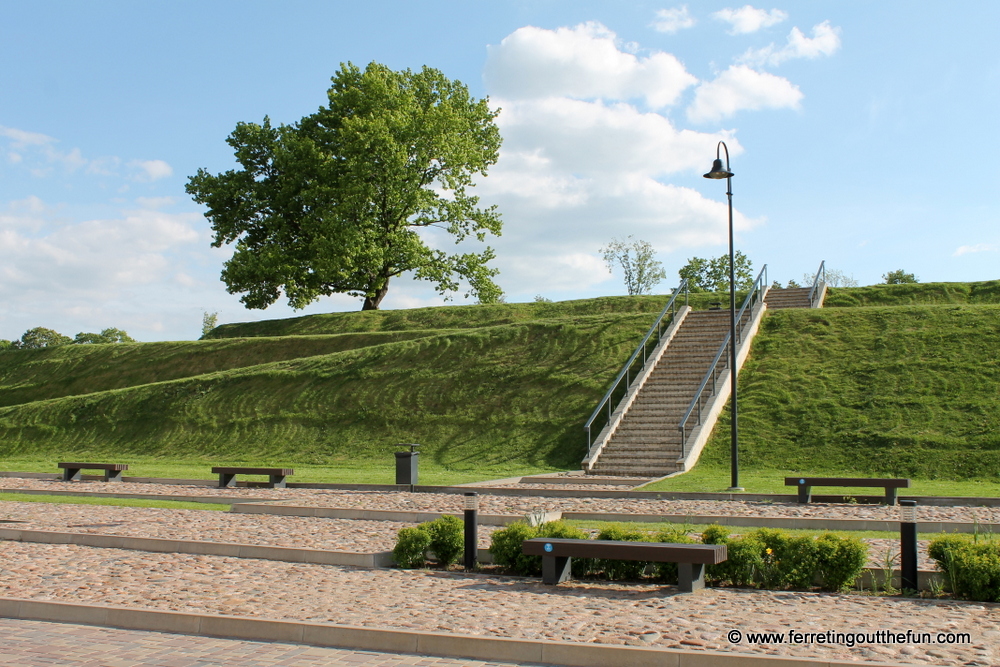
741, 88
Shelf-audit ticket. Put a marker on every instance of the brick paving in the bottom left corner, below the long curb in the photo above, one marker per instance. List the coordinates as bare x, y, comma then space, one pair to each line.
39, 644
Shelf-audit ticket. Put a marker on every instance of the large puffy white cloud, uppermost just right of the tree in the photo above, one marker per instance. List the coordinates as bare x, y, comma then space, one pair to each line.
584, 62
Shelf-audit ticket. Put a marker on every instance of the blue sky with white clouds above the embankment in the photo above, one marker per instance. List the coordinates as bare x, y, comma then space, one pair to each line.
860, 134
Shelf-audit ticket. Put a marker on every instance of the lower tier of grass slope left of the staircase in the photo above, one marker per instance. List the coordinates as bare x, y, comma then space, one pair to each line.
486, 396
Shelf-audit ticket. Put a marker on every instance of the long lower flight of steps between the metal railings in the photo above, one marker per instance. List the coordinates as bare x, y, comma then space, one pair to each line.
647, 442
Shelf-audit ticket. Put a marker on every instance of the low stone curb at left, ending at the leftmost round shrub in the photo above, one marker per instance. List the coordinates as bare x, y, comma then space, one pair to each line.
227, 549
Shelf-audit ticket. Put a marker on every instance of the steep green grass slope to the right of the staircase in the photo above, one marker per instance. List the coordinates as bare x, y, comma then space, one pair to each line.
909, 391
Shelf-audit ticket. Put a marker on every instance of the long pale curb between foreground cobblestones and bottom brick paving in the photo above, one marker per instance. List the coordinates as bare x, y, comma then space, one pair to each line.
570, 654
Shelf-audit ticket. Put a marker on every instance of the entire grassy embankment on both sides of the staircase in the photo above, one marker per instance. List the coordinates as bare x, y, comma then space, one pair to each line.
900, 380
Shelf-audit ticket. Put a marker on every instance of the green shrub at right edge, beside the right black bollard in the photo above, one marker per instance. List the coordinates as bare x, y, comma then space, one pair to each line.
972, 570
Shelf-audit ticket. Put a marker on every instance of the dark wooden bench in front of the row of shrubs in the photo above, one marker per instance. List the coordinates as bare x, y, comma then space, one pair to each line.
691, 559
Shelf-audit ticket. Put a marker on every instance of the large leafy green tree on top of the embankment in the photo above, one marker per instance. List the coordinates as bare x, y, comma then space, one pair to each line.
336, 202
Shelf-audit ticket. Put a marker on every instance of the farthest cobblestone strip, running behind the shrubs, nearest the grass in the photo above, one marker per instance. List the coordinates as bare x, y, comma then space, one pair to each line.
490, 504
